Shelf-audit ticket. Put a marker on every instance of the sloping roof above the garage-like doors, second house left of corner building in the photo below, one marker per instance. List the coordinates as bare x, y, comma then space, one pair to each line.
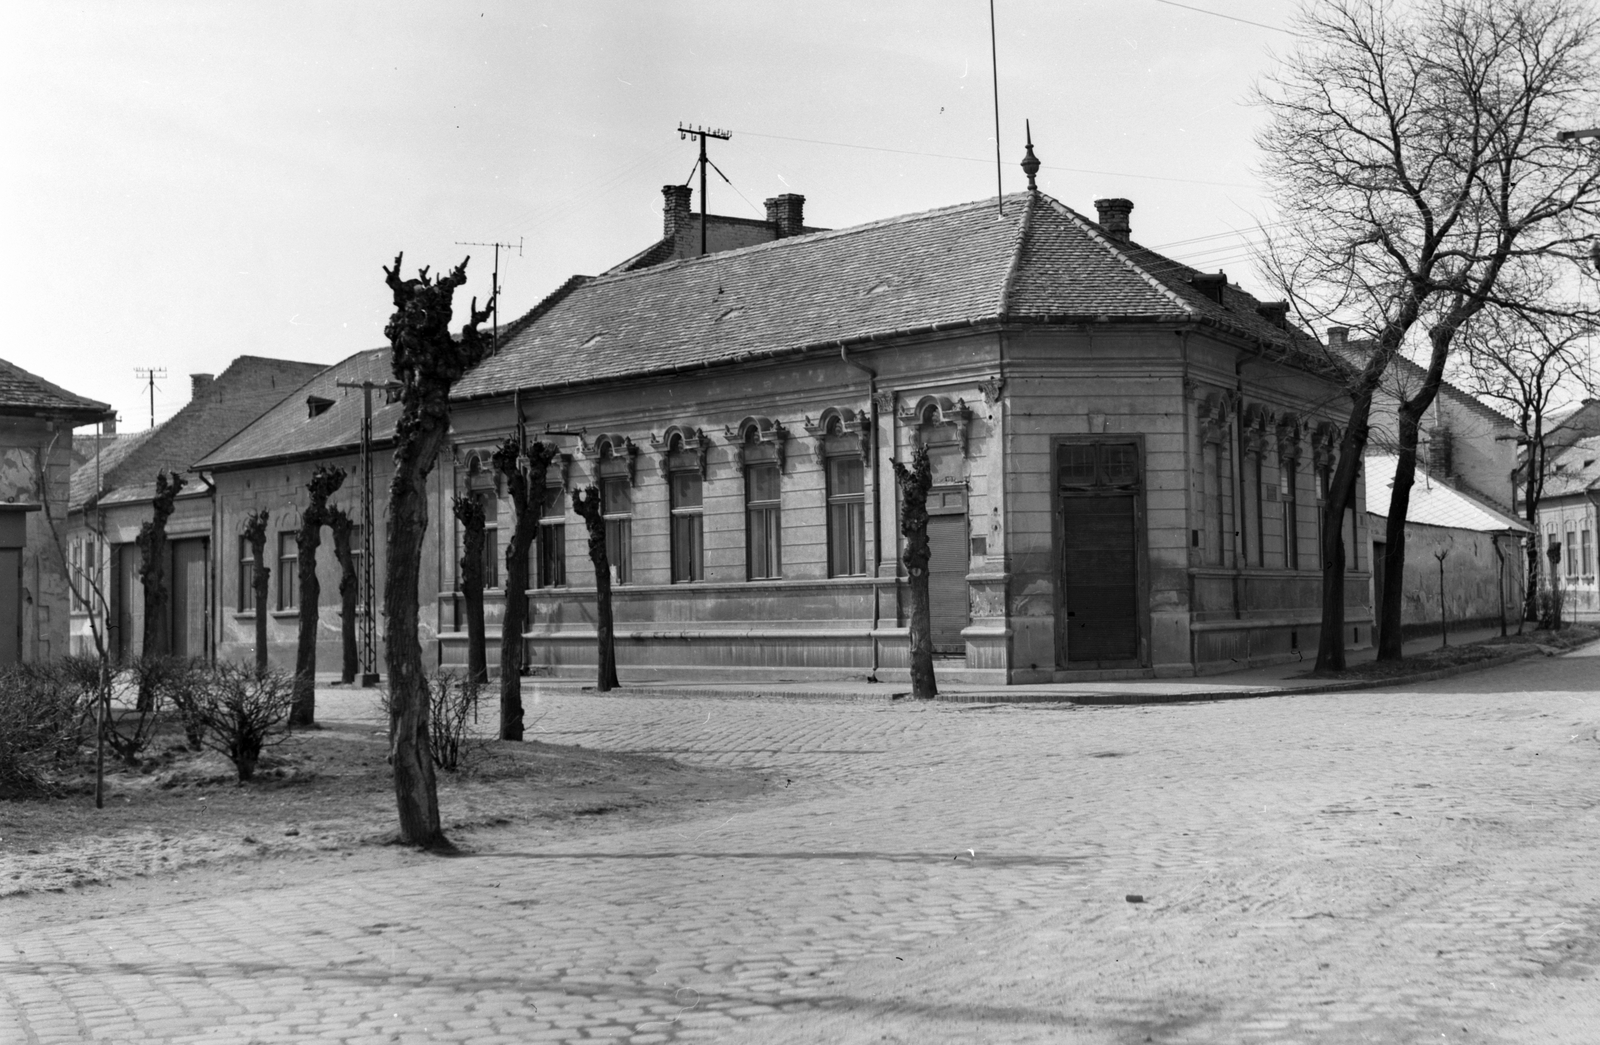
236, 398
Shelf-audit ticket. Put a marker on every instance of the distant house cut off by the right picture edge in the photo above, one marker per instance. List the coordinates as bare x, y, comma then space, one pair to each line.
1569, 518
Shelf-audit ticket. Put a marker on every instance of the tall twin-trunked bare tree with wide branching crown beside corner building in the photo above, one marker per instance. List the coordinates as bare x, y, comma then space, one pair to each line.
1418, 172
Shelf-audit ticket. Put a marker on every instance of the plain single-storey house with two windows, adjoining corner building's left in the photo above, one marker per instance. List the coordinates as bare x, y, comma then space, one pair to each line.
266, 468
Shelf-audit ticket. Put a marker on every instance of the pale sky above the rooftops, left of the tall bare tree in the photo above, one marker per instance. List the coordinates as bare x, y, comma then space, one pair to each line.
188, 183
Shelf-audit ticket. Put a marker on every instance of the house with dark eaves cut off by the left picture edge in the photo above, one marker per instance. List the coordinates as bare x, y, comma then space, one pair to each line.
36, 466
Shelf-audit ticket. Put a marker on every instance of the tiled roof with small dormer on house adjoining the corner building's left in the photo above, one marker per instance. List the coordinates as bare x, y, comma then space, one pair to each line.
289, 430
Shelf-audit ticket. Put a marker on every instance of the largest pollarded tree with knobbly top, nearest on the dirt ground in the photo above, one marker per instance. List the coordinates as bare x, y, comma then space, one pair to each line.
428, 362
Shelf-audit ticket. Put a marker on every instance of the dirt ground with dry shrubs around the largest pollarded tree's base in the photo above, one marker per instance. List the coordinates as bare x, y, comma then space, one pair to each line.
322, 791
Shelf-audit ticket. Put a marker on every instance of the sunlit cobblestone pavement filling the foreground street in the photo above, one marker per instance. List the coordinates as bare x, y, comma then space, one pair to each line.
1380, 867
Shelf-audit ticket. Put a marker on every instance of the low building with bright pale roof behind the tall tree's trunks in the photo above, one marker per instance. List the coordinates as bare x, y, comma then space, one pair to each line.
1463, 556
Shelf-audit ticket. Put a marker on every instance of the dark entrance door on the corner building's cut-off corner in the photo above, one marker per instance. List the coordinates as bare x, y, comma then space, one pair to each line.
1100, 555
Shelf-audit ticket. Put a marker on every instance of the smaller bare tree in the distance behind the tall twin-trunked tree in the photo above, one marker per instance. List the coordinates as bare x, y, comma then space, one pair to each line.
1529, 364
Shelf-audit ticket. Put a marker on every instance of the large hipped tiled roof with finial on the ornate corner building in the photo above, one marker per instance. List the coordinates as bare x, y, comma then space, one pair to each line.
932, 271
